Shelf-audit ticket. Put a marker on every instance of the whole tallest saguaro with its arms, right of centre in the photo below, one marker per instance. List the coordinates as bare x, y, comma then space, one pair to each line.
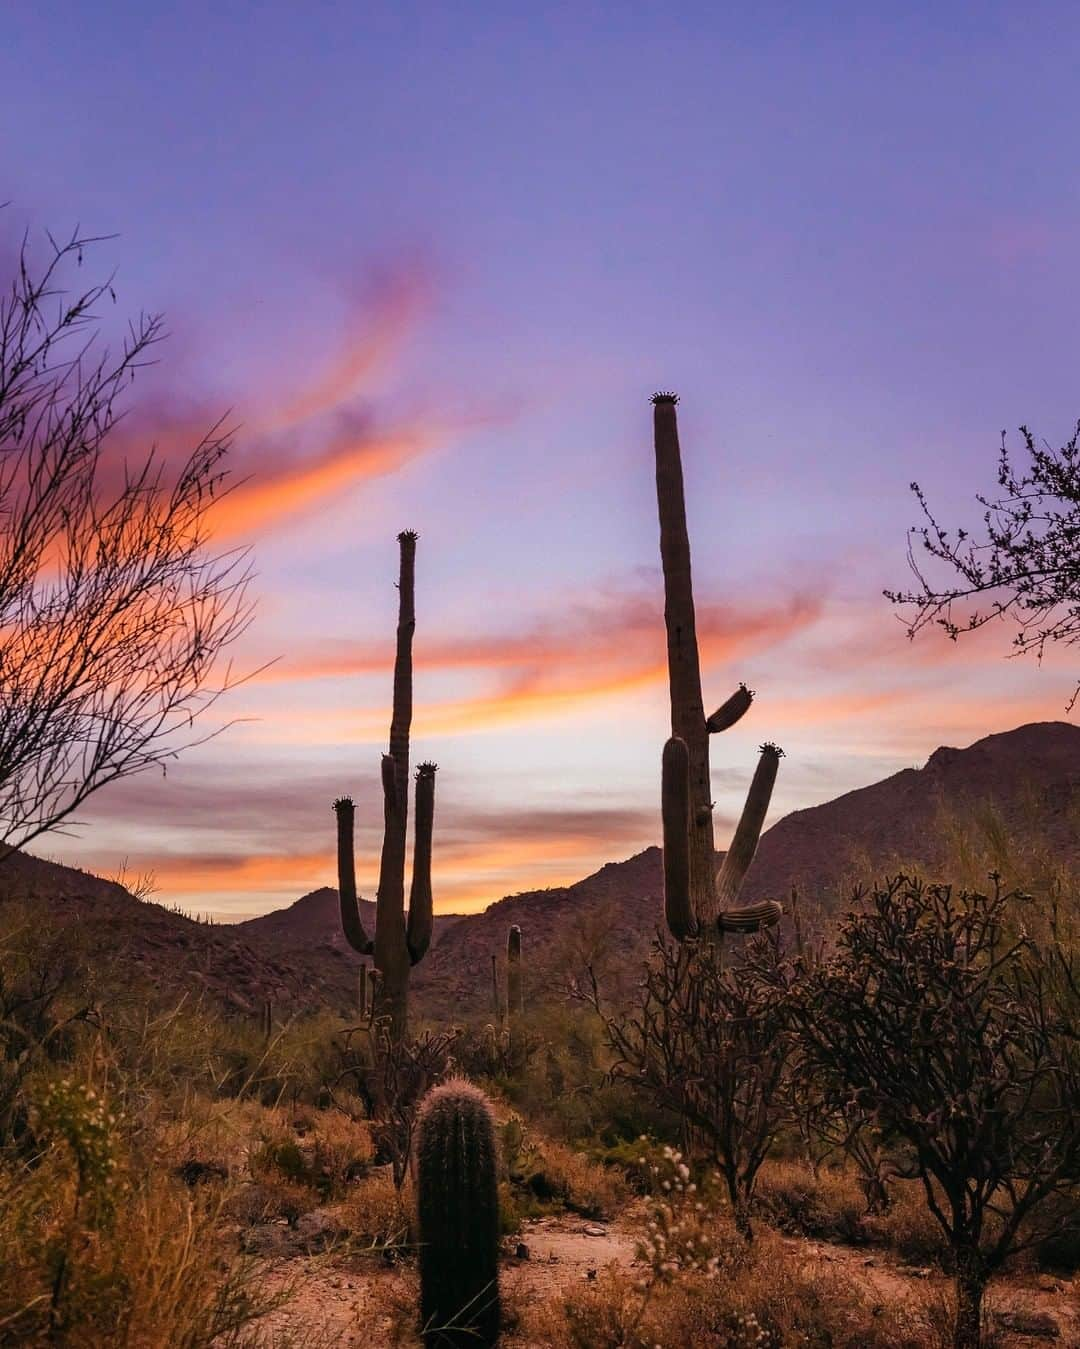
696, 900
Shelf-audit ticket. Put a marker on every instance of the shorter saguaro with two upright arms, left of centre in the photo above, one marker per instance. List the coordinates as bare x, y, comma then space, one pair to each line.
401, 941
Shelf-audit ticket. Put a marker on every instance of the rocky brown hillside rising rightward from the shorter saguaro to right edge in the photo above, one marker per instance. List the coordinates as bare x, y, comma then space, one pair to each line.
1029, 776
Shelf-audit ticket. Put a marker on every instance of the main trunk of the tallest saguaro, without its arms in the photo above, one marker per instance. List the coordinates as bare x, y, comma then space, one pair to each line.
684, 670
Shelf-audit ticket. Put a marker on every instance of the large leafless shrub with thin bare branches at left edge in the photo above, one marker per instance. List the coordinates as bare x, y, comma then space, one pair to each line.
114, 614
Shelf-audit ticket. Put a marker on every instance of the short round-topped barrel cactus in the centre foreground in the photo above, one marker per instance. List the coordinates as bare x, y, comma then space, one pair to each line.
458, 1209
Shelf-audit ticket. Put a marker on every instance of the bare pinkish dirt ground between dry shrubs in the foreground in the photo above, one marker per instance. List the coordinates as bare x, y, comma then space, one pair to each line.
354, 1302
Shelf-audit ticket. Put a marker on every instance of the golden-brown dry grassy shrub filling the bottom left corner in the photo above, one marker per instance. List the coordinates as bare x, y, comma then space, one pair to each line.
104, 1250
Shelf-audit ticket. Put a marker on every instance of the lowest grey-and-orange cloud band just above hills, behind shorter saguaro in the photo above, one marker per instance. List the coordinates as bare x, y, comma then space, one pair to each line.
273, 838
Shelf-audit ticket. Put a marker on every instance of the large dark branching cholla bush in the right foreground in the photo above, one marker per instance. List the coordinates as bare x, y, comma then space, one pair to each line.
955, 1034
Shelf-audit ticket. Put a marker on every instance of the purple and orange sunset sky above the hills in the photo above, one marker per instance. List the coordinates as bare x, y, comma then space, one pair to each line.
433, 260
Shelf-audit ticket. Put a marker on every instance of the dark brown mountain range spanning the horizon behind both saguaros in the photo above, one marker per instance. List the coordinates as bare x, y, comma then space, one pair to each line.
299, 957
